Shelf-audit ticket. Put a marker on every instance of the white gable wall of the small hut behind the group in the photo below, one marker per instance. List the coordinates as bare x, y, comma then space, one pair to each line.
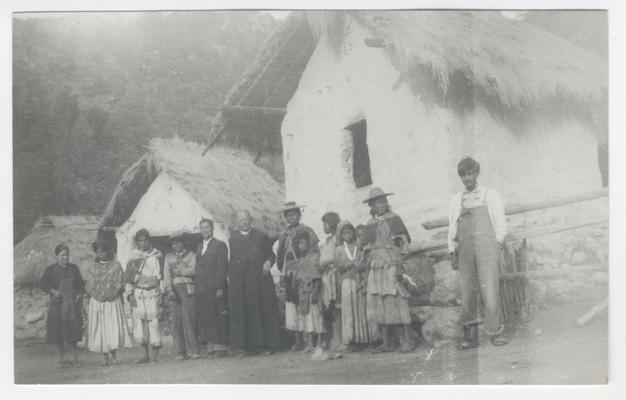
165, 207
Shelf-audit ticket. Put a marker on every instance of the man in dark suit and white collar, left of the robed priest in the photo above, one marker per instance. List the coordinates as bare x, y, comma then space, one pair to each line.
210, 291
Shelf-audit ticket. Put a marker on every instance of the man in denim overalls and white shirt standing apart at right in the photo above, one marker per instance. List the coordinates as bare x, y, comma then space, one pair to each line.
477, 230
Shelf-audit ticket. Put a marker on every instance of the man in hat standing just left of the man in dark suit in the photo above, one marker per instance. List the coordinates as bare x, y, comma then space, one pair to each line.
179, 272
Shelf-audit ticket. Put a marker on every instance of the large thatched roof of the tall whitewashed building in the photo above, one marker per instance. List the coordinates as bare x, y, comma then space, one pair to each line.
469, 57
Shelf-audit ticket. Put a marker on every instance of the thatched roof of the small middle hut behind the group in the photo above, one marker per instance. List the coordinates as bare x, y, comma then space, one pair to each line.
223, 181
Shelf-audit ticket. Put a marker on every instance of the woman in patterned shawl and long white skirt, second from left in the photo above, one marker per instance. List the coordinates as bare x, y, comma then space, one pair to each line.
107, 330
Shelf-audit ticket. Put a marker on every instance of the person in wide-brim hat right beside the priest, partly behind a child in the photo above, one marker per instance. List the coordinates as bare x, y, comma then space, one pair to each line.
286, 262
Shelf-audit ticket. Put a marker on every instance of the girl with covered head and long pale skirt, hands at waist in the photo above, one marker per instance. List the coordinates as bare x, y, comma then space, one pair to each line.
356, 330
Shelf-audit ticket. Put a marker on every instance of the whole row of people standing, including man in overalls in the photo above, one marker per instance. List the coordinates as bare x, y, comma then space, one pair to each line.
348, 293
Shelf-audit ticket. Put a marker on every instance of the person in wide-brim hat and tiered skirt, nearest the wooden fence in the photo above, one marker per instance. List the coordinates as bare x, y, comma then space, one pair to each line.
387, 299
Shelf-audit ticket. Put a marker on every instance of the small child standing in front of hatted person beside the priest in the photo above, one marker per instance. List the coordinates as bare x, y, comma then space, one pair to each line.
309, 283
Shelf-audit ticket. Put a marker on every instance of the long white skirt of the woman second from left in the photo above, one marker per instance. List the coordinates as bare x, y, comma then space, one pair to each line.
107, 326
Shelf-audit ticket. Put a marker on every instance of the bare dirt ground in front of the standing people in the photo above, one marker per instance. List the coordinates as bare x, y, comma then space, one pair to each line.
546, 349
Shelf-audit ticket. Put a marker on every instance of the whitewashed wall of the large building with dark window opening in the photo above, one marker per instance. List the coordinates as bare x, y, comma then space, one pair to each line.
414, 147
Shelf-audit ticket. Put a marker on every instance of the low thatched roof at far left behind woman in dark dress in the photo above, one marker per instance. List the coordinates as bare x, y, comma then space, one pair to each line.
36, 251
